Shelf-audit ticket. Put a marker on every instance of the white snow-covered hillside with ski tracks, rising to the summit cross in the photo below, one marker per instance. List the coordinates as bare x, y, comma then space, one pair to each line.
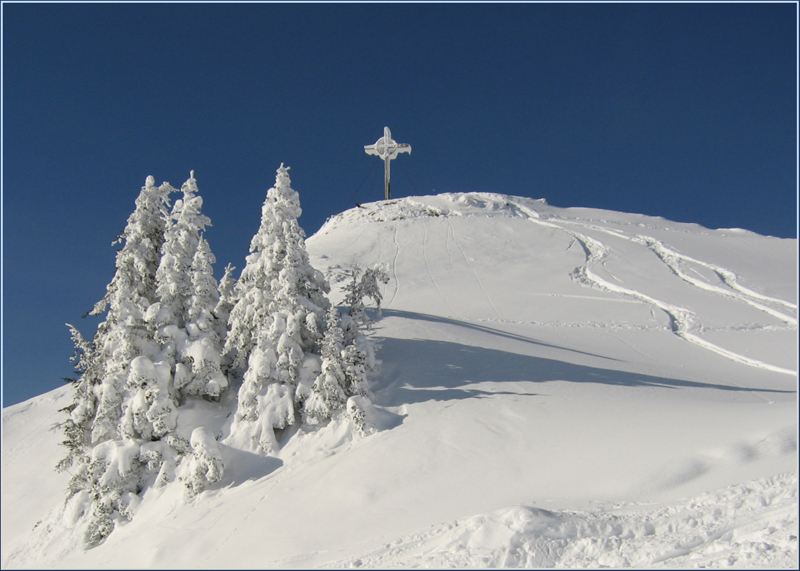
558, 387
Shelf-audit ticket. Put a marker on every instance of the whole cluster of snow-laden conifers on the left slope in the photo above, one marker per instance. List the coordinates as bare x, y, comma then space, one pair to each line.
172, 333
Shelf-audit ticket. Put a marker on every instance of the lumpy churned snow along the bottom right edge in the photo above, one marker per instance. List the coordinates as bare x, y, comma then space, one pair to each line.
749, 525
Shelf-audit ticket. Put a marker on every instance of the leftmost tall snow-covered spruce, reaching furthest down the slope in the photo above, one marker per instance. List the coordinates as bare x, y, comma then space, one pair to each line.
104, 465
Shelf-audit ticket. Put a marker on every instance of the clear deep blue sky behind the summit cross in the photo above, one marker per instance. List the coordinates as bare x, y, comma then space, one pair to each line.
686, 111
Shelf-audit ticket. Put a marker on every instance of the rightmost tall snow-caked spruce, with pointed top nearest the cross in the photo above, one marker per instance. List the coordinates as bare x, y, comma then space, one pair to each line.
275, 322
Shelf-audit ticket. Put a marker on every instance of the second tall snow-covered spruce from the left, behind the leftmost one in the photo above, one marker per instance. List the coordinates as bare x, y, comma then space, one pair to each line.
187, 331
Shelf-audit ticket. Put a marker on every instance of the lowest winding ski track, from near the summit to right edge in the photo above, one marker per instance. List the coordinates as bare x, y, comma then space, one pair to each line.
680, 318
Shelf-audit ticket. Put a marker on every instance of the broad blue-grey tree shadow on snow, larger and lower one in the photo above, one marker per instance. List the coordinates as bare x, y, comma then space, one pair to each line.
419, 370
